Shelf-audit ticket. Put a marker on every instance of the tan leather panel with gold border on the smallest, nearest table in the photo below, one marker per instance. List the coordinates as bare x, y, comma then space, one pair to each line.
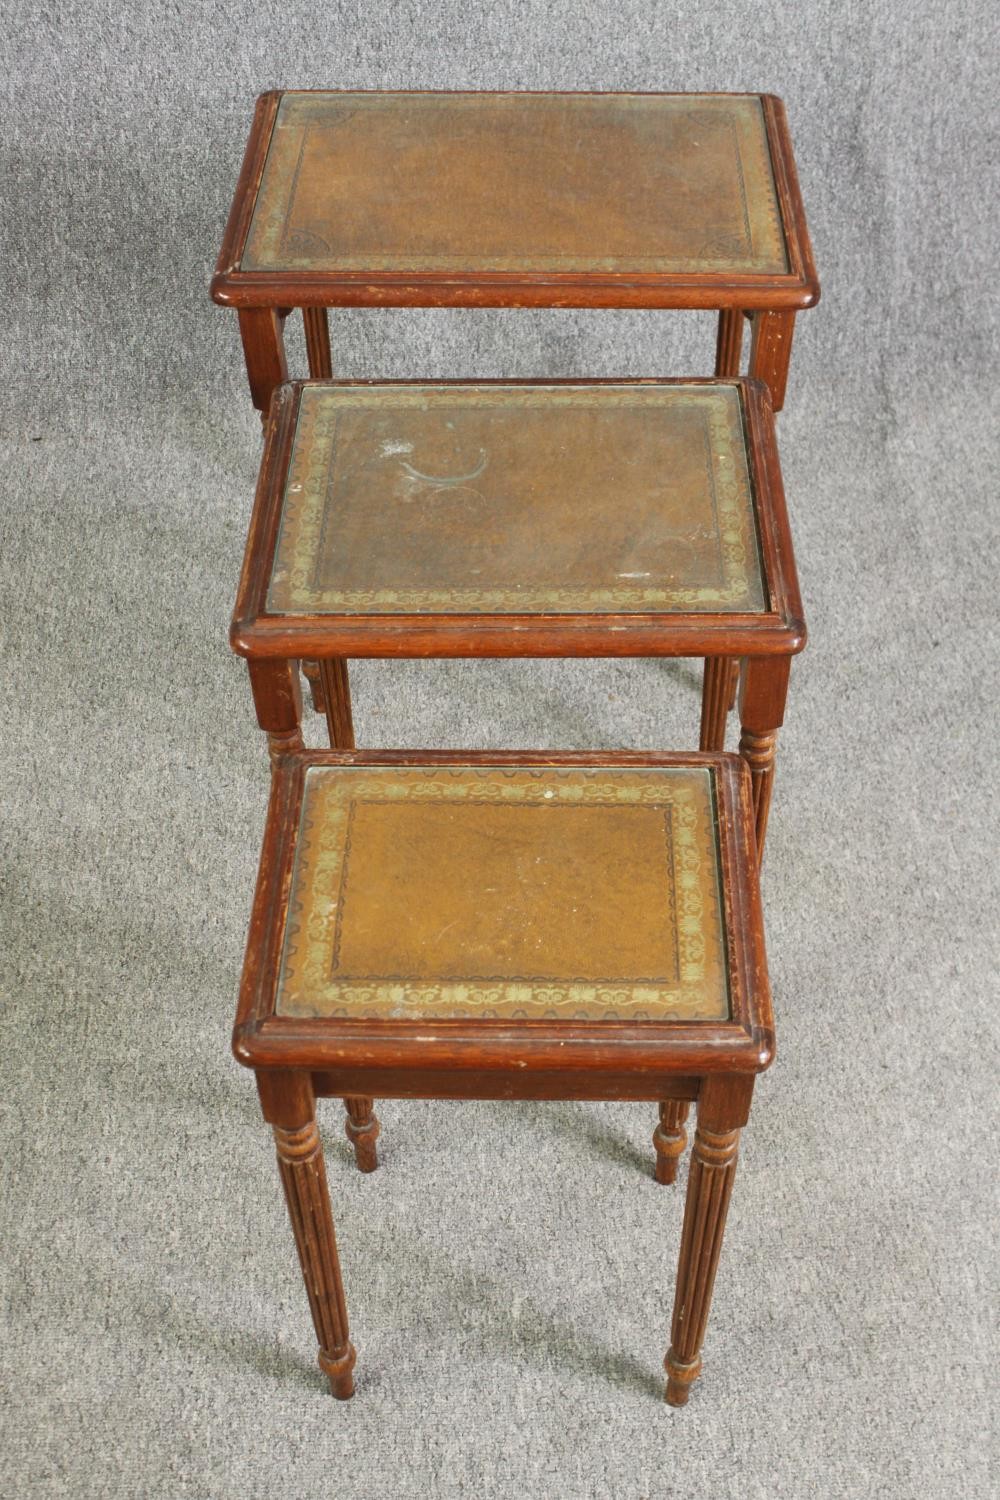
504, 893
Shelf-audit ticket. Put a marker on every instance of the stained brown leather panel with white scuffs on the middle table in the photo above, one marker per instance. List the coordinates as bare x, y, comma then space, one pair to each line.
518, 500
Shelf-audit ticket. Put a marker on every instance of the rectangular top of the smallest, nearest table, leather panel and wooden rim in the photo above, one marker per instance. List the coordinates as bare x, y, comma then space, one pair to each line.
506, 889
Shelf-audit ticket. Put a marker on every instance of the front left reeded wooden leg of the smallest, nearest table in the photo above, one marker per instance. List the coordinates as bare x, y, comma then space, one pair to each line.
292, 1112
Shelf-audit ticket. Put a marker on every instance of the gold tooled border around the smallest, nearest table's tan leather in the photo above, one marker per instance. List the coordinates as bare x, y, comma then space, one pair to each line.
307, 986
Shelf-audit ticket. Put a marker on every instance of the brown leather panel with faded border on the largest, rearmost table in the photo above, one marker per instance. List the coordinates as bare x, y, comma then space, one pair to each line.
491, 182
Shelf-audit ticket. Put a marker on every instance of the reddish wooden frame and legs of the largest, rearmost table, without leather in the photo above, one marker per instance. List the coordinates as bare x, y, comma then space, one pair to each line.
265, 299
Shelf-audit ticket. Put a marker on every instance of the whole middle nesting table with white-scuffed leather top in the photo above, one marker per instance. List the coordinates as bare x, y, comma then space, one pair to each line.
518, 520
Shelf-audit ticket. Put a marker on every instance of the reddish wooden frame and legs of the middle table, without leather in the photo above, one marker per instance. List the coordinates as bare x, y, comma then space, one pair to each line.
764, 643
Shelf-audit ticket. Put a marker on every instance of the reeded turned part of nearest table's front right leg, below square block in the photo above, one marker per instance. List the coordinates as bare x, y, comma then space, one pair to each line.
707, 1204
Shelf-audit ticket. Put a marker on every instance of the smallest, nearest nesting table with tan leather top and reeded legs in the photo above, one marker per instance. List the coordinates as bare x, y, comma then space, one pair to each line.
509, 926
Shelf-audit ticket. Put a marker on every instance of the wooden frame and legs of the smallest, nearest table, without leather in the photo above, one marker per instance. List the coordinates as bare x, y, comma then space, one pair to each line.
713, 1064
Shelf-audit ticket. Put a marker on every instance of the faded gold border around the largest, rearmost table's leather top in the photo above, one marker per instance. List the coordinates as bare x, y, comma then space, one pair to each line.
268, 245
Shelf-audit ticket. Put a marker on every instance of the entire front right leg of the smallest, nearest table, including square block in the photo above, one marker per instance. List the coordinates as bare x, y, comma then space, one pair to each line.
722, 1112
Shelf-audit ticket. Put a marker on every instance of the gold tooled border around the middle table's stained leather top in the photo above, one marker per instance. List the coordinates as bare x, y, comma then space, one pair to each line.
311, 481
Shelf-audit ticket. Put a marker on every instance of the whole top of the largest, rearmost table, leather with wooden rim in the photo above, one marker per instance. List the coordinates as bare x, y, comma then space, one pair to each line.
362, 196
